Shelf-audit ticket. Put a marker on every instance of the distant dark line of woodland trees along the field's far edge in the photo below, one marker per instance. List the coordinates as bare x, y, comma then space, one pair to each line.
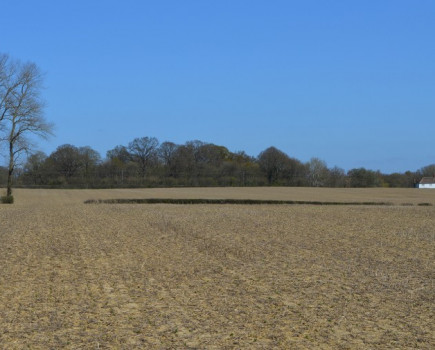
145, 162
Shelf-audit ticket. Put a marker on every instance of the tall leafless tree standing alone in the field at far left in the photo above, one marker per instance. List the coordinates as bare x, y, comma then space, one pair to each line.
22, 110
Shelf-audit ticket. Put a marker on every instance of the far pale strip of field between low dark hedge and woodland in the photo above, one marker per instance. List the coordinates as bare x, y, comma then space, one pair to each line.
397, 196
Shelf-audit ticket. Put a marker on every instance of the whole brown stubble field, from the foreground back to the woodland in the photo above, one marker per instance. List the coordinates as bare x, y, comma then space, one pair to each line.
230, 276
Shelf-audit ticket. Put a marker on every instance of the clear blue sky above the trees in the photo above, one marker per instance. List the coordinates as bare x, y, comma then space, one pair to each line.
350, 82
